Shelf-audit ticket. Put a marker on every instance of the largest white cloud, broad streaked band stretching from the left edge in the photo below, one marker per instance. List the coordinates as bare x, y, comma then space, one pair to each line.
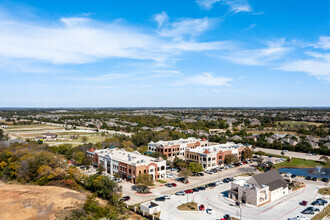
83, 40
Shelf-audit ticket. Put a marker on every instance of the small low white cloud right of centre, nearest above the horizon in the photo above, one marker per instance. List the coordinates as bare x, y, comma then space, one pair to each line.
205, 79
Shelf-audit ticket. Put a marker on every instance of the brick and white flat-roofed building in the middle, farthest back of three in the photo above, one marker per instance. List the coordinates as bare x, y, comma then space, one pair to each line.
176, 147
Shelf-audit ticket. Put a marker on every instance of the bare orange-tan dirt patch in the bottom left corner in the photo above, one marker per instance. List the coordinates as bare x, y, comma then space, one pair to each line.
36, 202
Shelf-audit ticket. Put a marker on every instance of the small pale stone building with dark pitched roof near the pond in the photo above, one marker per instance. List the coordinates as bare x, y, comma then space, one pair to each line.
260, 189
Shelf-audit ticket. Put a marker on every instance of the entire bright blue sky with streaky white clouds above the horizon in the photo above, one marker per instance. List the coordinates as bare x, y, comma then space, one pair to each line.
164, 53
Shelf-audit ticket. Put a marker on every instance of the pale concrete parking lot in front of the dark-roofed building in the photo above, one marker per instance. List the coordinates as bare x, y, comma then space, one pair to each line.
216, 199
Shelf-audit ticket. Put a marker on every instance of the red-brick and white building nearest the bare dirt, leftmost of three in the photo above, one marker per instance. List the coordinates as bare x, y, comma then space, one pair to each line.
128, 164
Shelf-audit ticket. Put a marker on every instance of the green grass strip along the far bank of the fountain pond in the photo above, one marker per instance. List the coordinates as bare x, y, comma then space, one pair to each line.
301, 163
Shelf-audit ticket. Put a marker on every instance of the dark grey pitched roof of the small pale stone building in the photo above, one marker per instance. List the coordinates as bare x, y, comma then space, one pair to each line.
271, 178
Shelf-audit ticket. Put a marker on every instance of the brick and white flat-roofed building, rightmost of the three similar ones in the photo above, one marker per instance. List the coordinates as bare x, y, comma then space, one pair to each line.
214, 156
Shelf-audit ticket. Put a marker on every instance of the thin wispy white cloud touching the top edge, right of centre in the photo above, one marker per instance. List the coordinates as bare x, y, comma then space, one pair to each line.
235, 6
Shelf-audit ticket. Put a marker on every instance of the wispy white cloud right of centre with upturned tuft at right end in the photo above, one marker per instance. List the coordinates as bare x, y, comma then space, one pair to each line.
275, 50
